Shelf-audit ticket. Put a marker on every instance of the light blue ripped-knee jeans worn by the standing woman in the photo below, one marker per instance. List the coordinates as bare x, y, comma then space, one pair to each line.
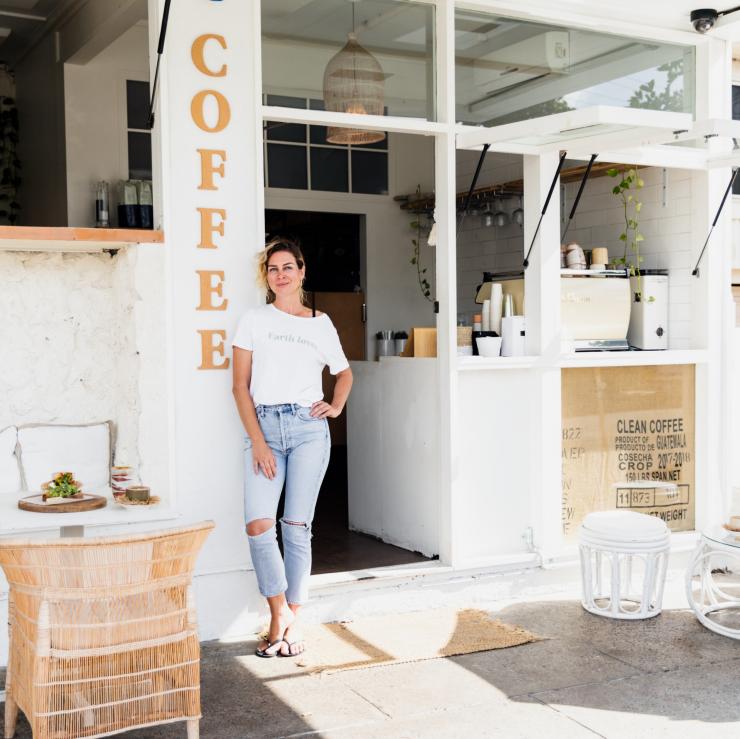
301, 447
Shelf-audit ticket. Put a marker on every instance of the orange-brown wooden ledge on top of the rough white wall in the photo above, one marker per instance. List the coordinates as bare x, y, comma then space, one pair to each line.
70, 239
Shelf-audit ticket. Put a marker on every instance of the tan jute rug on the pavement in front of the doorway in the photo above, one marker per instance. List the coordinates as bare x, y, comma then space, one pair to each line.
405, 637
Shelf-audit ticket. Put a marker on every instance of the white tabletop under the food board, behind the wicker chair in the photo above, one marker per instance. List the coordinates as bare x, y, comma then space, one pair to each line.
15, 522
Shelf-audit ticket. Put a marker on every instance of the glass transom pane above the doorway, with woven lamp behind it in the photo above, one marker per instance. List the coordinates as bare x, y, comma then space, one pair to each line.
300, 39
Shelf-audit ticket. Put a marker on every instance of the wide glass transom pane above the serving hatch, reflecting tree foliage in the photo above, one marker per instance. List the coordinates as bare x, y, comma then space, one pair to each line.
509, 70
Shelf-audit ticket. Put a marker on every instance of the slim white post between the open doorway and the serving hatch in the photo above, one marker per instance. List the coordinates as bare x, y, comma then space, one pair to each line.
446, 273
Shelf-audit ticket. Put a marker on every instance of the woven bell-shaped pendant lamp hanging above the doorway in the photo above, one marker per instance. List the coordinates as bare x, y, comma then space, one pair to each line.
353, 83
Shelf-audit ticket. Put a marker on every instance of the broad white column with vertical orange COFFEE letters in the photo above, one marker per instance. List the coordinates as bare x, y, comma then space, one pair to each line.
209, 101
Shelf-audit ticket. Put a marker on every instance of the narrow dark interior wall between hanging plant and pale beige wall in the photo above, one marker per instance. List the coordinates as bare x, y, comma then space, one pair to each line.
41, 147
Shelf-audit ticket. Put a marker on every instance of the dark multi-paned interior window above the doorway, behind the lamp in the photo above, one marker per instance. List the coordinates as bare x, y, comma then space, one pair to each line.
299, 157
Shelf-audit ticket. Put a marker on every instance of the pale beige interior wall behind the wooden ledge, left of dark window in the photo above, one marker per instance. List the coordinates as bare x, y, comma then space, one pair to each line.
95, 111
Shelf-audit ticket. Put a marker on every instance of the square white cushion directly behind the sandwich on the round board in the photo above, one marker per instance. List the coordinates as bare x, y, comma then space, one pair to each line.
84, 450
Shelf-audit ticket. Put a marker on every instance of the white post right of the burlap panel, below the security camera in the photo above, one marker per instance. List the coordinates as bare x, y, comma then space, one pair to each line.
711, 297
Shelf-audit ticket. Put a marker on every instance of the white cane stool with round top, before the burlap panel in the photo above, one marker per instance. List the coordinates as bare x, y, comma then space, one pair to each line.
614, 544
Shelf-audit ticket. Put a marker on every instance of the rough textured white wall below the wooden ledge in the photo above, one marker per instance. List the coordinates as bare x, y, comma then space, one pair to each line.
68, 342
